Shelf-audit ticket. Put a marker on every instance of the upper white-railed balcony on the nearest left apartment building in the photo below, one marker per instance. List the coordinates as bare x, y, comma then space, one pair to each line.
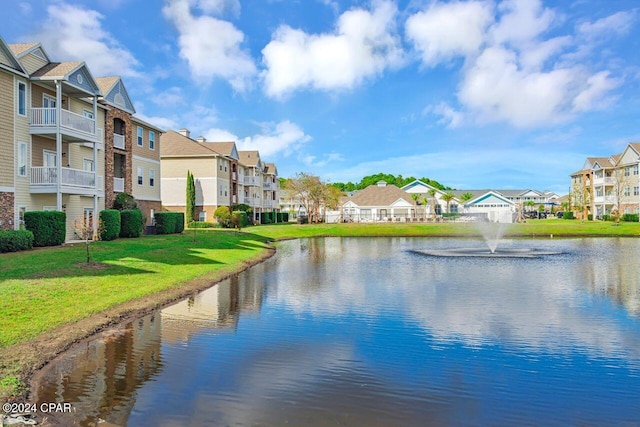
44, 121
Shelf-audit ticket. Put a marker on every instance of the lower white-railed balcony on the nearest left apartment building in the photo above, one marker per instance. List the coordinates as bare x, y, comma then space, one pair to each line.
74, 181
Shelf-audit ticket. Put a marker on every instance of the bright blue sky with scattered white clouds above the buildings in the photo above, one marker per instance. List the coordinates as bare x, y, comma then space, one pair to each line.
475, 94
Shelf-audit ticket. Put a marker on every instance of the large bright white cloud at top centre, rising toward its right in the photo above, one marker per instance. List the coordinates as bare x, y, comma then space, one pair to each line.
362, 46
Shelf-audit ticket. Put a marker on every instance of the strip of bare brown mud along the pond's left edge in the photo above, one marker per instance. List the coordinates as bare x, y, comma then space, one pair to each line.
31, 356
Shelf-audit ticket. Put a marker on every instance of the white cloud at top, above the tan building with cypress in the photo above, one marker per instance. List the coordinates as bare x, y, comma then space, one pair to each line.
211, 46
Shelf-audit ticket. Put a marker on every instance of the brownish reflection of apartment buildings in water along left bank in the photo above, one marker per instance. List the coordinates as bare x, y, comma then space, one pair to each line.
100, 378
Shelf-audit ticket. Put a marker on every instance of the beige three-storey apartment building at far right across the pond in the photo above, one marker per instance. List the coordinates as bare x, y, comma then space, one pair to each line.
606, 184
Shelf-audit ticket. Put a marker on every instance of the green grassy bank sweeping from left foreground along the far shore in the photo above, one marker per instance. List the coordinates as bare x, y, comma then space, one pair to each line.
47, 294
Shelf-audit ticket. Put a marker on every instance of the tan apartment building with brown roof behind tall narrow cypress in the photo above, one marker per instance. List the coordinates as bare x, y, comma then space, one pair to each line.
223, 176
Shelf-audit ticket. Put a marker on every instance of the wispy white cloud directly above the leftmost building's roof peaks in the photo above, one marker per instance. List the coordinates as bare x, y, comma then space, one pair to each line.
72, 33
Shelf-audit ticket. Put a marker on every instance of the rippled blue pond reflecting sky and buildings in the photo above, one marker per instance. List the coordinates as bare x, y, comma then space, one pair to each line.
373, 332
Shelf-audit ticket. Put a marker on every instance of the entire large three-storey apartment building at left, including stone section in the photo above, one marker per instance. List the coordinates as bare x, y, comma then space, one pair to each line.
69, 141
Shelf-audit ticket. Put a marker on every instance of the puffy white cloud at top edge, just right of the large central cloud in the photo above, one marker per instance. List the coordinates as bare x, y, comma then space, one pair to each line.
446, 30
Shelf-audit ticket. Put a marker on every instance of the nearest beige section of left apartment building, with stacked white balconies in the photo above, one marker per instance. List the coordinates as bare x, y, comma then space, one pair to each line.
53, 137
